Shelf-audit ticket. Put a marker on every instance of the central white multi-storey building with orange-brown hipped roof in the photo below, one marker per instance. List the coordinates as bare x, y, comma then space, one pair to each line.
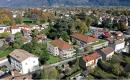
60, 48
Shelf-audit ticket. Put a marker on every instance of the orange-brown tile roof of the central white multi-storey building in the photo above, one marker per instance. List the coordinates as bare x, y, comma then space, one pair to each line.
61, 44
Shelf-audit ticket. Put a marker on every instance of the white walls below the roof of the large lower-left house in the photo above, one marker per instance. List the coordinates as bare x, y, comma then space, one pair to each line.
26, 66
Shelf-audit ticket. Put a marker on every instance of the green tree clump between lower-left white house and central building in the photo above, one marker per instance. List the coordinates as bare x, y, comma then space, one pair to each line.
38, 49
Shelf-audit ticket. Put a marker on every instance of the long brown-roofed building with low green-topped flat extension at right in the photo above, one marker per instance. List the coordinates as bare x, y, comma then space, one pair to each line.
86, 40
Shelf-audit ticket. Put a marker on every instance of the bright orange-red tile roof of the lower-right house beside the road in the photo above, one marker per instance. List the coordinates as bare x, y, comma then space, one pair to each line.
90, 57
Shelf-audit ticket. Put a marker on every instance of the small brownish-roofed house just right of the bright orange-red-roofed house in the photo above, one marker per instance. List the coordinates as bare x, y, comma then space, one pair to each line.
107, 53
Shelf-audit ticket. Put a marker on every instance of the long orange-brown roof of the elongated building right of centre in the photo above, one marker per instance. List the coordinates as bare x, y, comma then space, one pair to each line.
84, 38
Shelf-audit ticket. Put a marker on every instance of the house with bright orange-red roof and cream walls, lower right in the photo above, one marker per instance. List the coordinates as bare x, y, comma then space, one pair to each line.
91, 59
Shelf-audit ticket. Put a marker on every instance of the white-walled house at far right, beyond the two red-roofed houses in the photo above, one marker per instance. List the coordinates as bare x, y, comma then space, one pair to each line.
119, 45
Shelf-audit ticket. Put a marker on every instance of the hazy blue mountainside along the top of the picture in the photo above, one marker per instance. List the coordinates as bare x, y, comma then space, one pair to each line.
38, 3
